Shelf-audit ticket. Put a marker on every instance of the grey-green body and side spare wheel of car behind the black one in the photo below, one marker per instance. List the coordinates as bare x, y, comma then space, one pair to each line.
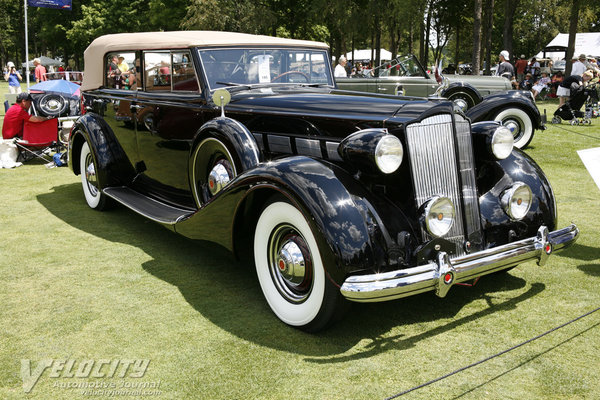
405, 76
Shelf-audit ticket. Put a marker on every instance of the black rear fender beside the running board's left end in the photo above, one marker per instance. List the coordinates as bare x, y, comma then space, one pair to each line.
112, 163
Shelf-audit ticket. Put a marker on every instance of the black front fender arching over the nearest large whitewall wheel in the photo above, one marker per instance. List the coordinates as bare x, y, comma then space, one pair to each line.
335, 204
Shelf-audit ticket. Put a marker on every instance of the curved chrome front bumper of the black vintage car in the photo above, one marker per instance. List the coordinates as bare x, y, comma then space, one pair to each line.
441, 274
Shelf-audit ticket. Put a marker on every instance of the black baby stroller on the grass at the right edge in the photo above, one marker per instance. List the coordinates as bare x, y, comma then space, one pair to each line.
570, 111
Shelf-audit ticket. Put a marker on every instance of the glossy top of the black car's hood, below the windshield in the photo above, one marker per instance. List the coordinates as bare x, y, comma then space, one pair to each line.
329, 103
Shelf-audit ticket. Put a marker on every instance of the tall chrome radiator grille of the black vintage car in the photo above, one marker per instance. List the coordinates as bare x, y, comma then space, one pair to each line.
442, 164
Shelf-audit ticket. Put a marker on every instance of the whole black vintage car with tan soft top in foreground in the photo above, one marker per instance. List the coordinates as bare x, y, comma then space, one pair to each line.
245, 141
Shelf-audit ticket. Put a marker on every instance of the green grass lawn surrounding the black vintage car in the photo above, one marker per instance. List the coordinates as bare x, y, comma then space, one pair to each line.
79, 285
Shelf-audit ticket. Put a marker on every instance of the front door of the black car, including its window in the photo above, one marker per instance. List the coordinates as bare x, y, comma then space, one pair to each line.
168, 115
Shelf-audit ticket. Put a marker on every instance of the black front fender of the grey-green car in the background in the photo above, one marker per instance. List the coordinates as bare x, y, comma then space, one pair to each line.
494, 103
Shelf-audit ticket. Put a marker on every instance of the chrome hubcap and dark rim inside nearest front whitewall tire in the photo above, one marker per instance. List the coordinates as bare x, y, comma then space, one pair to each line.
290, 264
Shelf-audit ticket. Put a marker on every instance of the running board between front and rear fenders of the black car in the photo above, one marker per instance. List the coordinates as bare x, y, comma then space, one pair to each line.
146, 206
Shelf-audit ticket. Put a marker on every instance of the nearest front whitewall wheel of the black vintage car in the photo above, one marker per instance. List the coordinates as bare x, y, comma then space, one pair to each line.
290, 269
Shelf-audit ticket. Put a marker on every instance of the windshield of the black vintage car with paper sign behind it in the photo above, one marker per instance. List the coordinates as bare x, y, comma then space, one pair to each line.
239, 66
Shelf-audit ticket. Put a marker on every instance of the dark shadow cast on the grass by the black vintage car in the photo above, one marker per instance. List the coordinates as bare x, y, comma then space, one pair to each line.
226, 292
